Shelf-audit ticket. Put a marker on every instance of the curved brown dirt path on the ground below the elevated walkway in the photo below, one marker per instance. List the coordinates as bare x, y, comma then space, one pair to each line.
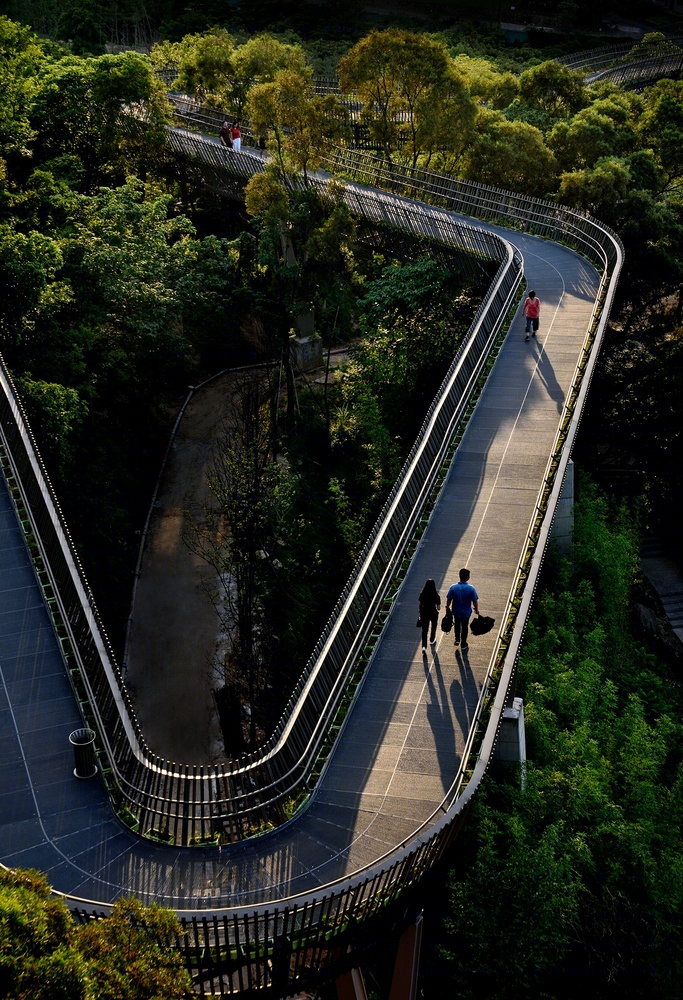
171, 650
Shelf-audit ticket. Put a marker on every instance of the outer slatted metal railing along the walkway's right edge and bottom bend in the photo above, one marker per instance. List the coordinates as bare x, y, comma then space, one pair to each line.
292, 943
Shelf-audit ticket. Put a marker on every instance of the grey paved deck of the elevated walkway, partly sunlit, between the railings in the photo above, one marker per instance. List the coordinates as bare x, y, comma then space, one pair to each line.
400, 748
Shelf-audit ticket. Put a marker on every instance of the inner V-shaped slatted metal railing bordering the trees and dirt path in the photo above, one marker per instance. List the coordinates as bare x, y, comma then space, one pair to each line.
179, 802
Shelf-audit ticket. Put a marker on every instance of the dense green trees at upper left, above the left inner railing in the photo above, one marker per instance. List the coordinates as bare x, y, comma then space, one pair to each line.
111, 300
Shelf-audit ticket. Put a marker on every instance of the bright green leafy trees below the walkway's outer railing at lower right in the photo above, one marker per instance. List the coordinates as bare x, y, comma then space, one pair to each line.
578, 872
